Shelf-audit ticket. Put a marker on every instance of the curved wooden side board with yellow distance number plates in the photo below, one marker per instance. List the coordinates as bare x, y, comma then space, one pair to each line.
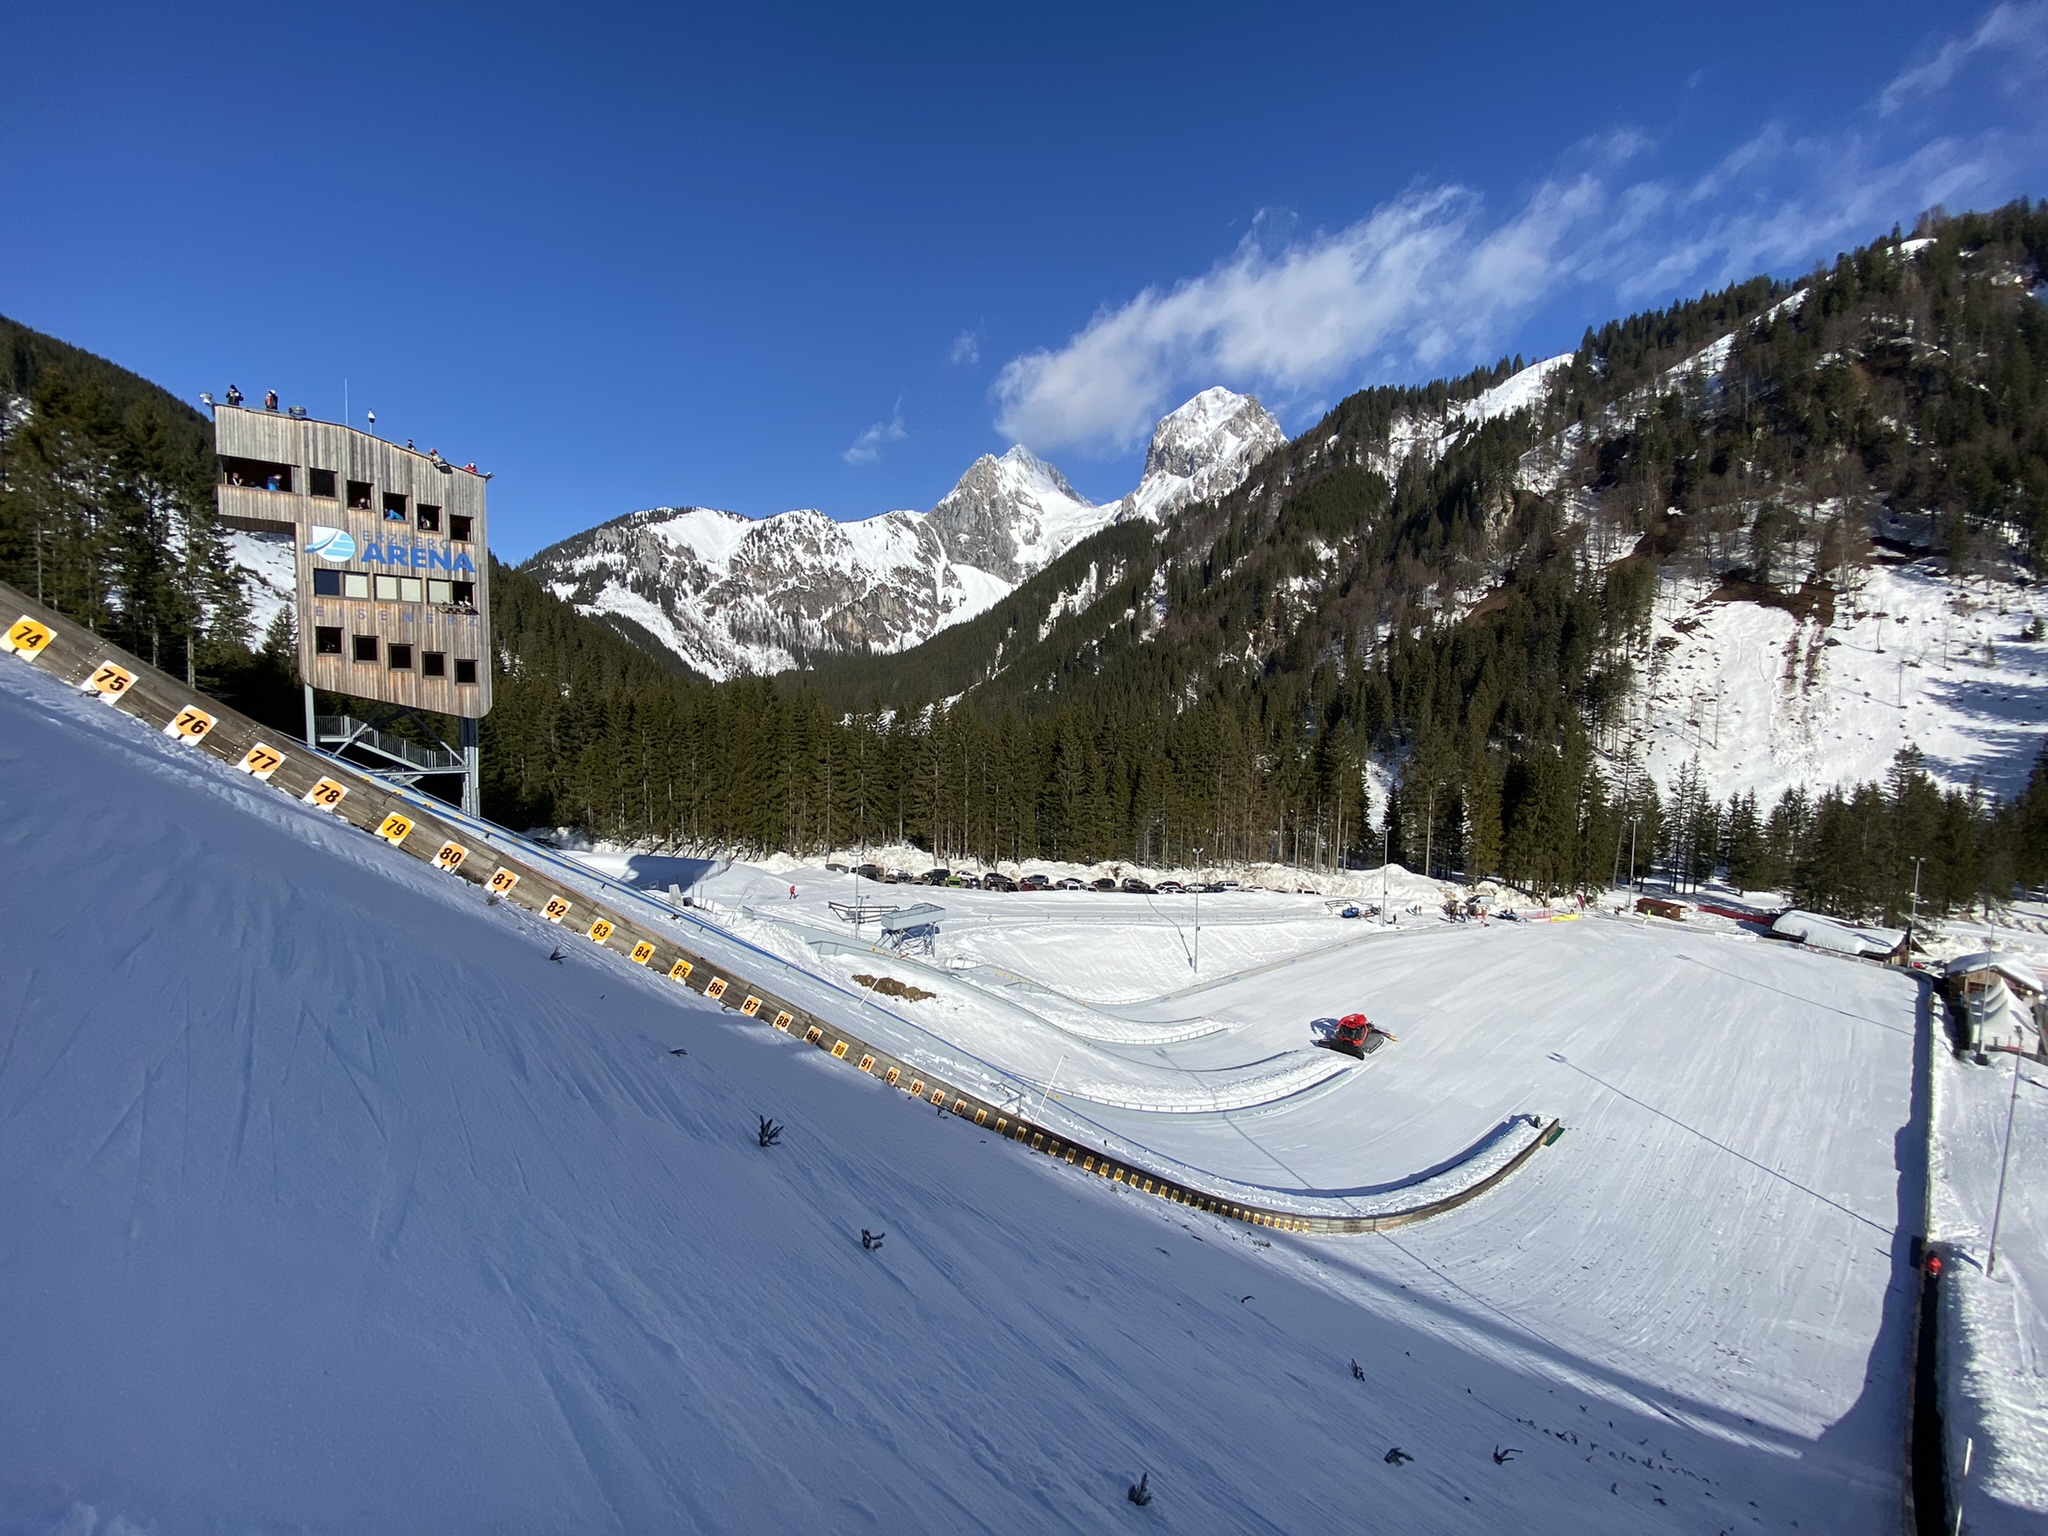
77, 656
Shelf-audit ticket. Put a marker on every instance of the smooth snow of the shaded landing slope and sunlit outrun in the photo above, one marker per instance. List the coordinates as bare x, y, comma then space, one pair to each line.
333, 1205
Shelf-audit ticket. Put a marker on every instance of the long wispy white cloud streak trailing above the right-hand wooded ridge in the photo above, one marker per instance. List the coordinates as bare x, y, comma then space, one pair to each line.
1431, 284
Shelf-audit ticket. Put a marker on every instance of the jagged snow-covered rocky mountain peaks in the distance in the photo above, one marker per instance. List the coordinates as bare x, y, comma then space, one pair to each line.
755, 595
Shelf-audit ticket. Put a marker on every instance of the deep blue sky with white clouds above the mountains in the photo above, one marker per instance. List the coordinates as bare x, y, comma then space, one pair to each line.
632, 257
